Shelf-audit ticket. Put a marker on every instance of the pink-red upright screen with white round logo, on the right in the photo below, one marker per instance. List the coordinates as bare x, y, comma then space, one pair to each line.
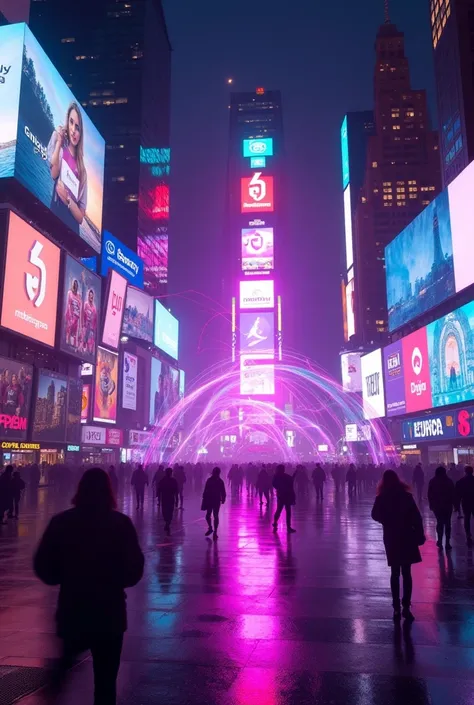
416, 370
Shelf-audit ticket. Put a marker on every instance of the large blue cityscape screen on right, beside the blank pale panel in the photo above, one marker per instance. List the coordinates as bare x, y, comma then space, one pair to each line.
419, 264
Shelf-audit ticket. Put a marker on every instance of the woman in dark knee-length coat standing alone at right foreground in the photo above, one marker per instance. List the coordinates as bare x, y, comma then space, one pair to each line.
403, 533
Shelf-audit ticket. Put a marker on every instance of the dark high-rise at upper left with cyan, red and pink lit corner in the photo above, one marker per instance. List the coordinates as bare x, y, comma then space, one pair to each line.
116, 58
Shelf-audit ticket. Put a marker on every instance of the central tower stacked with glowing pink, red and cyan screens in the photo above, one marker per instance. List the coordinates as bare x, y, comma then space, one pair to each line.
254, 225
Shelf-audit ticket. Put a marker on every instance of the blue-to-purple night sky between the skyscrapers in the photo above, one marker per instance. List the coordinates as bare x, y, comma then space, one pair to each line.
321, 56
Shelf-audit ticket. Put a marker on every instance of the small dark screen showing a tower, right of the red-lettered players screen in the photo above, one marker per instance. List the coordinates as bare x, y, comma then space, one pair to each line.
51, 407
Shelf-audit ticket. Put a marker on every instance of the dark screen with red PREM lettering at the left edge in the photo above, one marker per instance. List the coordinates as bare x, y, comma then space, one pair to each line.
16, 380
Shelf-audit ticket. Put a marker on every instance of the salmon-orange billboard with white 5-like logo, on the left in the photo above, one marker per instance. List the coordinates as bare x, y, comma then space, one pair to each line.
30, 285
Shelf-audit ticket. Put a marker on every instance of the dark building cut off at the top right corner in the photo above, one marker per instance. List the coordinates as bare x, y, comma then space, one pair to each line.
452, 26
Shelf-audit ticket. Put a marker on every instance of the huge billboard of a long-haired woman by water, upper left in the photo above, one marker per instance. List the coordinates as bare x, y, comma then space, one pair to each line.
55, 150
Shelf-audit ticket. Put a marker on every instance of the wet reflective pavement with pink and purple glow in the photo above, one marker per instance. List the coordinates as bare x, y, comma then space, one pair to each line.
256, 618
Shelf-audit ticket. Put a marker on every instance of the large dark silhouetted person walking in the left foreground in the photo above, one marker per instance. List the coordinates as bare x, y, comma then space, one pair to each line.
92, 553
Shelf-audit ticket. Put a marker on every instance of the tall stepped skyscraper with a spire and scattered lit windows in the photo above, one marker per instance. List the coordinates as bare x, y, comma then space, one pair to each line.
402, 176
